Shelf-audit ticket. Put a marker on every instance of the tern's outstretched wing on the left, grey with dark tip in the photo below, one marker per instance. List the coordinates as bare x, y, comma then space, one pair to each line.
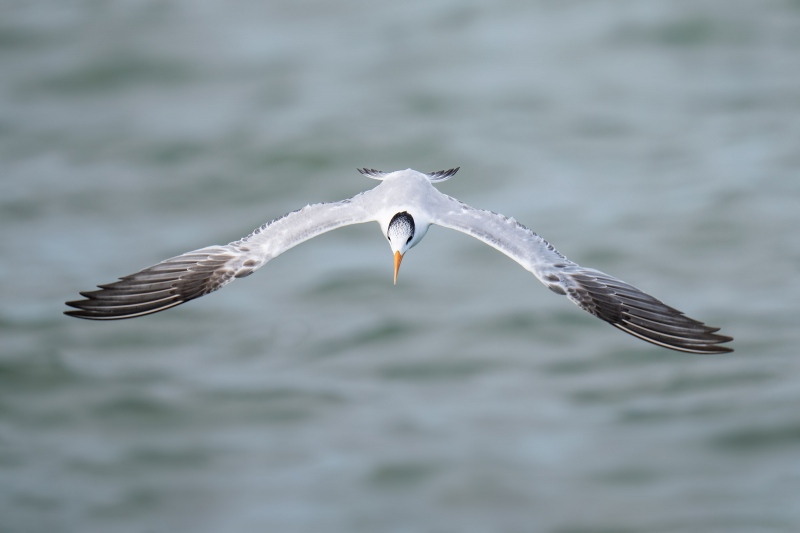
194, 274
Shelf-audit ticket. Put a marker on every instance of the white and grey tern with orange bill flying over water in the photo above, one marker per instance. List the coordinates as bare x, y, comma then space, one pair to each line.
405, 204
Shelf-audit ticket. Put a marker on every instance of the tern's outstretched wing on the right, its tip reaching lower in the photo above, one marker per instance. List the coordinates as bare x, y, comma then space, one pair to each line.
608, 298
